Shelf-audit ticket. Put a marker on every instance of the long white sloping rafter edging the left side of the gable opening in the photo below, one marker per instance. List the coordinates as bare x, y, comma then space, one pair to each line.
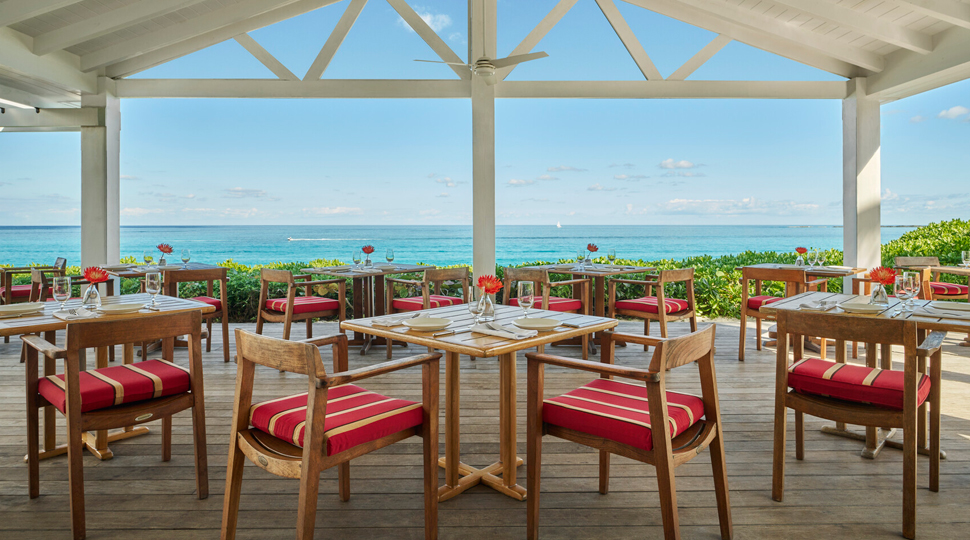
197, 42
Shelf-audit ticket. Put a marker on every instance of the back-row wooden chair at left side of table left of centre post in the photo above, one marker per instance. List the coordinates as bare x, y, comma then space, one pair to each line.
293, 308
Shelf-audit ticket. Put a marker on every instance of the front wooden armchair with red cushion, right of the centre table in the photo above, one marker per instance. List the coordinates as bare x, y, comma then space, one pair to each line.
615, 418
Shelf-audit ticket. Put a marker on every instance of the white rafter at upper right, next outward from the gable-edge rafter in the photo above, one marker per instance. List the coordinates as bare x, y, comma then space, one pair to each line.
864, 24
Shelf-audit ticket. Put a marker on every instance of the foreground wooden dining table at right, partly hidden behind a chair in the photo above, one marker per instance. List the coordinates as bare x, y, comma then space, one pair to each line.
926, 321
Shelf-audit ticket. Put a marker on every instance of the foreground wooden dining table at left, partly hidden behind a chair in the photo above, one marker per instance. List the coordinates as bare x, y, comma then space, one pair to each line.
47, 324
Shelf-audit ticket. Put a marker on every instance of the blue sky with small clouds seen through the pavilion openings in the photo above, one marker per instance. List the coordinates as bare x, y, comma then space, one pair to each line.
229, 162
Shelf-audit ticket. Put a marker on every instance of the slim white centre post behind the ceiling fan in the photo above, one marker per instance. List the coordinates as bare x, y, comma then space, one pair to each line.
483, 139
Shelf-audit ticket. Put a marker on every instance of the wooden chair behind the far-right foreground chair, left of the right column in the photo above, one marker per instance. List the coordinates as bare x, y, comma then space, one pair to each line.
795, 280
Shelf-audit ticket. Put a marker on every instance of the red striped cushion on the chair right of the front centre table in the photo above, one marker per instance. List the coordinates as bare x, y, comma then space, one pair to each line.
619, 411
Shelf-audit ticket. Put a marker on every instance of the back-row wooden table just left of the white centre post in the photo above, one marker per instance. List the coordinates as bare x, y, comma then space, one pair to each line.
368, 294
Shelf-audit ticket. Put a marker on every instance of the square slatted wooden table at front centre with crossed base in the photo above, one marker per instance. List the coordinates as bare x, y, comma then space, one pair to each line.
460, 476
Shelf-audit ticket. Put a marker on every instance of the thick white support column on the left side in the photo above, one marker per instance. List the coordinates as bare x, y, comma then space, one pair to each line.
100, 162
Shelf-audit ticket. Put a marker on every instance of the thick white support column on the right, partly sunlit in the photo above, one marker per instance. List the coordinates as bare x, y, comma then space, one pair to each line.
861, 179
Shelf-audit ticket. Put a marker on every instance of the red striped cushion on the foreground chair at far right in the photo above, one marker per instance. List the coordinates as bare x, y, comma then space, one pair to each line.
852, 382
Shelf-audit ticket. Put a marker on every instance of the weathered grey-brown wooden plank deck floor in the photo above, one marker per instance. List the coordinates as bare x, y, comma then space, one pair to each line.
833, 493
